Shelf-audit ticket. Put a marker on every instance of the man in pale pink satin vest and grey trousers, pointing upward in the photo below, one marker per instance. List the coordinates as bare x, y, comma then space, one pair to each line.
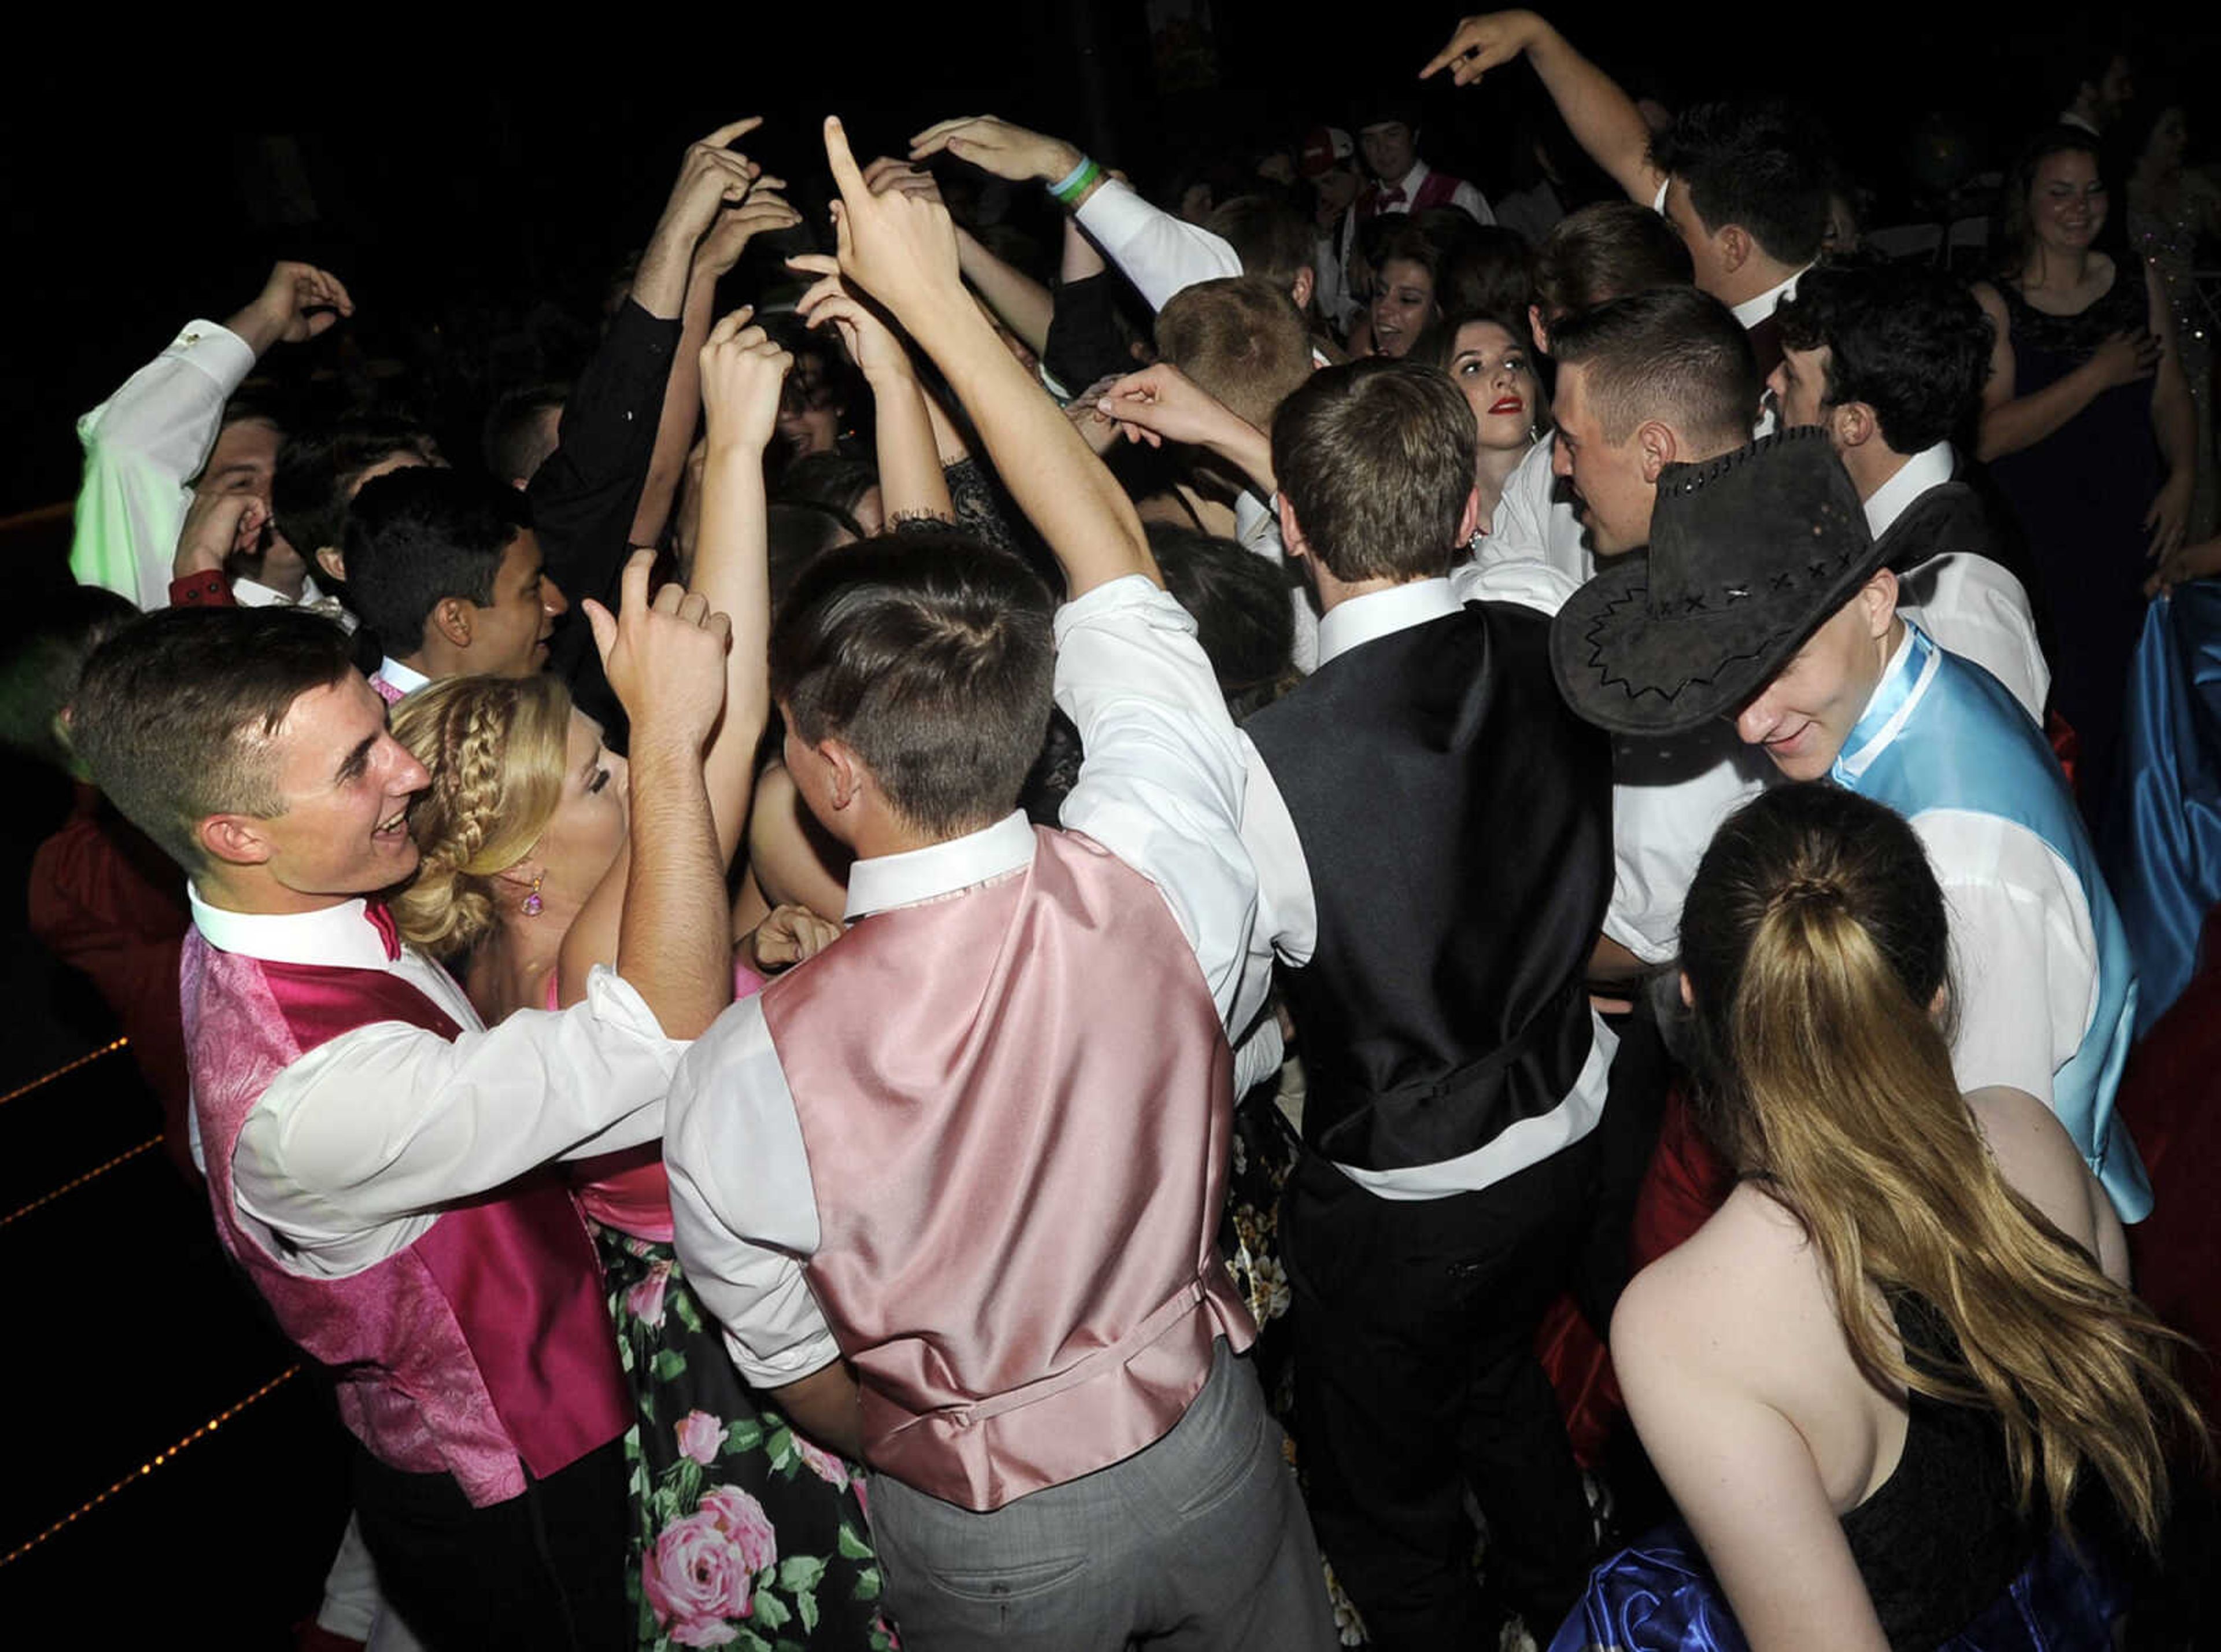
954, 1185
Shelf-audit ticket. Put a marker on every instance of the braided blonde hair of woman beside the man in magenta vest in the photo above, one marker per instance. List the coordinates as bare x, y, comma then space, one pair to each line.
496, 754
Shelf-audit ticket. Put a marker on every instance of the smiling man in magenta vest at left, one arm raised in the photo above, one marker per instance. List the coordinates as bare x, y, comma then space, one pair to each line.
376, 1158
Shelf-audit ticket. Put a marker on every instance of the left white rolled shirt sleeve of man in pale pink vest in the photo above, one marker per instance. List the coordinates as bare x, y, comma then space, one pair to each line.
743, 1202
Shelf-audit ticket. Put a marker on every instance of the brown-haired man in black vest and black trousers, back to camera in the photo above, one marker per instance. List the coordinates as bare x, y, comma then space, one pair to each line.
1434, 843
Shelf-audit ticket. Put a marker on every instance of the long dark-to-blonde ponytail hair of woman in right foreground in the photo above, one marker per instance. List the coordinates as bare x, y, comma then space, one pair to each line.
1816, 945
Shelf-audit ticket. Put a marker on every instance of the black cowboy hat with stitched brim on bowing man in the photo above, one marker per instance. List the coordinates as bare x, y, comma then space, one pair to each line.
1749, 556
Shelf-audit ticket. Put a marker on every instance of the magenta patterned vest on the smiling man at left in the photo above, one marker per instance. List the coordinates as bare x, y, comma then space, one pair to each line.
481, 1351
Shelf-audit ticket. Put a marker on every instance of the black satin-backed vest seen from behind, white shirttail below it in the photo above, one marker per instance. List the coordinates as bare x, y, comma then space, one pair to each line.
1458, 827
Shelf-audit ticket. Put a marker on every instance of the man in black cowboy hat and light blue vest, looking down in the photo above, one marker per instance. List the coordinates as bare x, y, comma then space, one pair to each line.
1765, 601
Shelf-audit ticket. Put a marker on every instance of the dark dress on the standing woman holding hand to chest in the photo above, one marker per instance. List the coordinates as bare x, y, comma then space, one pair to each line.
2082, 496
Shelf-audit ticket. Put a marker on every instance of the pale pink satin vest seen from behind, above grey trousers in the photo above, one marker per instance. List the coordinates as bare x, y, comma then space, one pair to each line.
1016, 1107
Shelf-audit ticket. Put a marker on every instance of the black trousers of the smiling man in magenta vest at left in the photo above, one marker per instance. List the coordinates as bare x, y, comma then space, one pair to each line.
543, 1571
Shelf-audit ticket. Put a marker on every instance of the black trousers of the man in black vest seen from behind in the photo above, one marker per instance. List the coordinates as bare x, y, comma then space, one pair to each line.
1416, 1380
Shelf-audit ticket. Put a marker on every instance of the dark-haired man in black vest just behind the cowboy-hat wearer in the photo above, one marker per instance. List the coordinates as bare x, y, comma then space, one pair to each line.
1891, 361
